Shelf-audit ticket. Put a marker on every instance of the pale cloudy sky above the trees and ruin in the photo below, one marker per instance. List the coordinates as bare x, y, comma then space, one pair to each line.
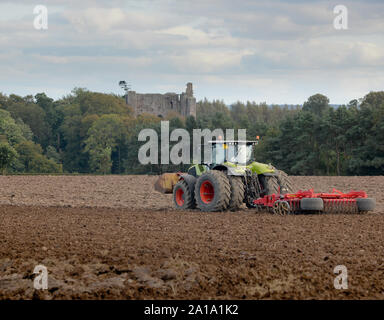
280, 51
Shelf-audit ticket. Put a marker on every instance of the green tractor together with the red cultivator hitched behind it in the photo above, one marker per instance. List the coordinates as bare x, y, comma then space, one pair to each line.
233, 177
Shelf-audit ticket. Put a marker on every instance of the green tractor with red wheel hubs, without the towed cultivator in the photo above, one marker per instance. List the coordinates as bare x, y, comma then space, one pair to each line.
232, 178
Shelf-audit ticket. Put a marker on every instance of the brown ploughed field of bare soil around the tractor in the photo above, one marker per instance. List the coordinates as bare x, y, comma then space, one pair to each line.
114, 237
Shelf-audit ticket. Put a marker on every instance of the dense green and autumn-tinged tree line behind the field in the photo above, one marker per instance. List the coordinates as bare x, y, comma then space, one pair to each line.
95, 133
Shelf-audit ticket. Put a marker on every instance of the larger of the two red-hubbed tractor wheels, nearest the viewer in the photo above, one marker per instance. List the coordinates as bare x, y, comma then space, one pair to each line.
213, 191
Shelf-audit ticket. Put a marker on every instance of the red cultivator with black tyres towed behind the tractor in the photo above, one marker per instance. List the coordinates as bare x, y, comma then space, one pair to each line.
309, 201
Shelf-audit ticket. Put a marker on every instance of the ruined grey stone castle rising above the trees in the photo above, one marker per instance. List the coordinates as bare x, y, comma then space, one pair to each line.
162, 104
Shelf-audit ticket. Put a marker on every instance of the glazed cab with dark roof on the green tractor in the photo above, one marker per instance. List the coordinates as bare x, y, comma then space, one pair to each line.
231, 151
